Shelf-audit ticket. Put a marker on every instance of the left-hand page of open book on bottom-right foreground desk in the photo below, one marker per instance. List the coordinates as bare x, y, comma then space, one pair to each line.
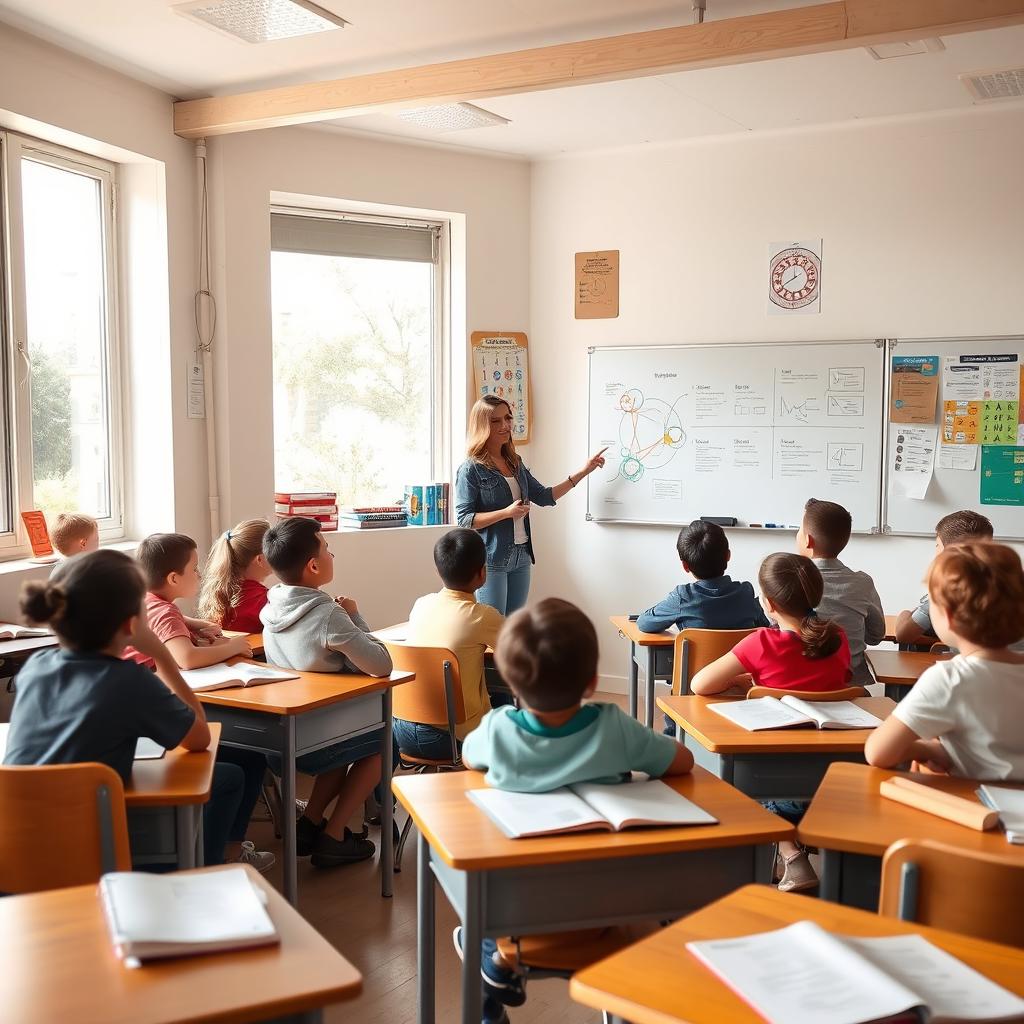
801, 974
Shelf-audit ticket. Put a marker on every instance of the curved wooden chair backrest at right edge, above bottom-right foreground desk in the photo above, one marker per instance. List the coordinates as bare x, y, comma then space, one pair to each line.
943, 886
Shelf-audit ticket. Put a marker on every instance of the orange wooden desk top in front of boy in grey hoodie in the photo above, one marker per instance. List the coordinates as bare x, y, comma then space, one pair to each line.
311, 691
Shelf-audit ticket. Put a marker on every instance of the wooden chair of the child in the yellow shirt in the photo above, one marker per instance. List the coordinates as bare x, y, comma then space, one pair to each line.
436, 696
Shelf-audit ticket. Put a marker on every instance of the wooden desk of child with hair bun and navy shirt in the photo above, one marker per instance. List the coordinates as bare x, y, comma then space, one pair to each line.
164, 800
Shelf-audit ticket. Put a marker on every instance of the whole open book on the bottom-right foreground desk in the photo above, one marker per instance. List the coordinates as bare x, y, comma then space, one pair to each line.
846, 980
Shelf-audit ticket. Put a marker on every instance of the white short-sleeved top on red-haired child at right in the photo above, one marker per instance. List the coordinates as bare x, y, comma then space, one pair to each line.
975, 707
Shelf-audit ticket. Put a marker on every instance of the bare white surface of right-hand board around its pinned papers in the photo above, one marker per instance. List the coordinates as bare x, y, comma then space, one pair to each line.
951, 489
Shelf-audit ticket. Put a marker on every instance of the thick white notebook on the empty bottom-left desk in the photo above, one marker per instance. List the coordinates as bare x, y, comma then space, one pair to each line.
156, 916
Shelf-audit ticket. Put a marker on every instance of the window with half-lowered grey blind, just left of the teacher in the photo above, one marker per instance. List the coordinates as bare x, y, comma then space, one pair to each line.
358, 368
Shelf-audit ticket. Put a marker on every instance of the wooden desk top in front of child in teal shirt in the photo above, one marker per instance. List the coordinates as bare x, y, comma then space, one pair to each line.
466, 839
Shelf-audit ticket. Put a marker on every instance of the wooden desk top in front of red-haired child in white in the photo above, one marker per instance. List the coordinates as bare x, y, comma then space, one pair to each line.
849, 815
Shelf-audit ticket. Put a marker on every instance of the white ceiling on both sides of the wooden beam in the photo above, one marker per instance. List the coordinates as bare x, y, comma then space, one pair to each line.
147, 40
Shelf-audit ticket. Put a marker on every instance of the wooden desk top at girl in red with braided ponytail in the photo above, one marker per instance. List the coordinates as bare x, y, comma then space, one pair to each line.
720, 736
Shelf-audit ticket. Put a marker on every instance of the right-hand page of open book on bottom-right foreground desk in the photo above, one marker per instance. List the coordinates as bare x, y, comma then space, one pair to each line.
949, 988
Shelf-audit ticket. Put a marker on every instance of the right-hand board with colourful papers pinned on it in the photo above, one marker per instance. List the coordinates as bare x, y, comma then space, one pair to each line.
979, 381
